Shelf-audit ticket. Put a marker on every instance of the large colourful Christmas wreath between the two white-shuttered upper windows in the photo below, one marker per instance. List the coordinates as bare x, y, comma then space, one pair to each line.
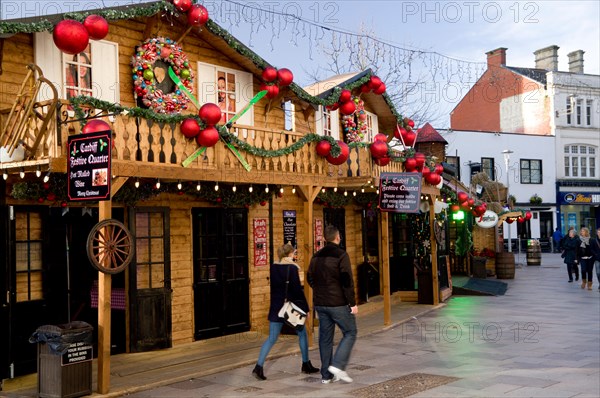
151, 80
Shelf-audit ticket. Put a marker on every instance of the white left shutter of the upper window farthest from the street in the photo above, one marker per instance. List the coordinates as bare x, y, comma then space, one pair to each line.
49, 59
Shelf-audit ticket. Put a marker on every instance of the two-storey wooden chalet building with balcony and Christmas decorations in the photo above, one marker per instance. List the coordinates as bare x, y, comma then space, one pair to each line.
203, 235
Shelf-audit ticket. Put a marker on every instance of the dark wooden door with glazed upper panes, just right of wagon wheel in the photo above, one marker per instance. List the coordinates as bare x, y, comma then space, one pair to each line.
150, 290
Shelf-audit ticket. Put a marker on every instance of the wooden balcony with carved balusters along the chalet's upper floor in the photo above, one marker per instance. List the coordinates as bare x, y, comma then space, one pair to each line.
147, 149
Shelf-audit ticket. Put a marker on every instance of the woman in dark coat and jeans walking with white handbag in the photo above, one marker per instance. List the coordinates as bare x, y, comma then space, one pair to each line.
279, 276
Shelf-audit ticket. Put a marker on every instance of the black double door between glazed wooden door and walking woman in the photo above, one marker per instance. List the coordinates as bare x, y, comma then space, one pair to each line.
221, 283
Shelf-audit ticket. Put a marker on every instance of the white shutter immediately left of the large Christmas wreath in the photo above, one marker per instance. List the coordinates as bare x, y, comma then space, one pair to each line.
105, 70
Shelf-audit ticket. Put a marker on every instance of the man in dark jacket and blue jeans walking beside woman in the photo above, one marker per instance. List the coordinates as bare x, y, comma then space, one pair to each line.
330, 276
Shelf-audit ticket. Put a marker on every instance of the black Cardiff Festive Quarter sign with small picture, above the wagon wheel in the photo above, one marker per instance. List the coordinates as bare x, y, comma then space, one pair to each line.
88, 166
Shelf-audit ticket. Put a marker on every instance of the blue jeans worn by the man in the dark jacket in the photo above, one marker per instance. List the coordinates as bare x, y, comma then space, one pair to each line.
328, 318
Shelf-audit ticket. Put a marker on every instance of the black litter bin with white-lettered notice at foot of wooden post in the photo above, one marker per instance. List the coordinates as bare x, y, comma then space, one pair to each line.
64, 359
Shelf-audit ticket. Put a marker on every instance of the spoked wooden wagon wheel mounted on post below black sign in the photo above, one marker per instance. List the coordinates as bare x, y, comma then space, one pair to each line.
110, 246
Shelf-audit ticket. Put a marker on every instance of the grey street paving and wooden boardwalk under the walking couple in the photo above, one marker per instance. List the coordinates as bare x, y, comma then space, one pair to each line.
540, 339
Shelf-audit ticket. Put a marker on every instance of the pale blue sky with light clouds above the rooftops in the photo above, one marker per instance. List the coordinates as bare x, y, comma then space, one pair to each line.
454, 30
